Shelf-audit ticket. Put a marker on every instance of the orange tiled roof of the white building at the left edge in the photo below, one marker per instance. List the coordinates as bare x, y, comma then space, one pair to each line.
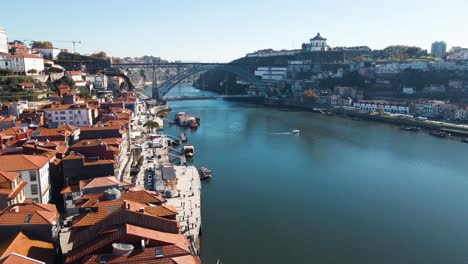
22, 162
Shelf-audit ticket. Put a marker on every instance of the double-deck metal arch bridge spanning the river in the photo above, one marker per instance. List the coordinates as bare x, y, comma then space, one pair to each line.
185, 70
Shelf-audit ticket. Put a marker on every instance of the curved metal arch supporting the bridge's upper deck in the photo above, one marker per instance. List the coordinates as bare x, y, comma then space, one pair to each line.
167, 85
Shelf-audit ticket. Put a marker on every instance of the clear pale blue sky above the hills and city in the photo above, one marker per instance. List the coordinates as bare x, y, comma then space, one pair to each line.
219, 30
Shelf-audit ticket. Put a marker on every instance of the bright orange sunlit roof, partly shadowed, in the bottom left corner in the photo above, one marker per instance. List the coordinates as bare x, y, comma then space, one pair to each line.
23, 245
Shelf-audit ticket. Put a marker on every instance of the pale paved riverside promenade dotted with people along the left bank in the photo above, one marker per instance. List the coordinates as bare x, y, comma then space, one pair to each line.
183, 193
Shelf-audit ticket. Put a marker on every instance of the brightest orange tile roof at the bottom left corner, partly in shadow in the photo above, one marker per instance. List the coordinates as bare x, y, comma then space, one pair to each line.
21, 244
